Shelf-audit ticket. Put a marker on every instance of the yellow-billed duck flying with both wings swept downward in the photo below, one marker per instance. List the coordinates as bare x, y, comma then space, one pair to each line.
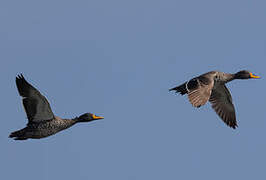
211, 87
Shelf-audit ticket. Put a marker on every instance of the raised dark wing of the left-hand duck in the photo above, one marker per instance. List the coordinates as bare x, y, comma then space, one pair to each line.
35, 104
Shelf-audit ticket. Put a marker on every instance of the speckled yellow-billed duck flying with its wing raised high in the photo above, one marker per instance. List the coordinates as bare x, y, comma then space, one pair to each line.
41, 120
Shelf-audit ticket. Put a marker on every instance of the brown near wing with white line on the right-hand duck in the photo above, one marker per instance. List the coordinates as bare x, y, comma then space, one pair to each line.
199, 90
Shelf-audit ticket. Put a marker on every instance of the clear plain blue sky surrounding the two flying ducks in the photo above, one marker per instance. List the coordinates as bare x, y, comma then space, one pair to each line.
117, 59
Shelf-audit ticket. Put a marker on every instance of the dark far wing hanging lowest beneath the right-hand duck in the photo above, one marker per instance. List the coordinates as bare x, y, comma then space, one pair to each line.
222, 104
